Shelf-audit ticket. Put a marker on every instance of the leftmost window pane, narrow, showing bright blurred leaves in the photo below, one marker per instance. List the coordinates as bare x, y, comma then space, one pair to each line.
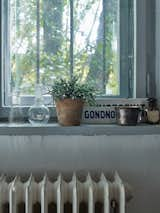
23, 45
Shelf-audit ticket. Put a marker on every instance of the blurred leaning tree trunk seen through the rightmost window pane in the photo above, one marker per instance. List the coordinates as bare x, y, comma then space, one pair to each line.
103, 60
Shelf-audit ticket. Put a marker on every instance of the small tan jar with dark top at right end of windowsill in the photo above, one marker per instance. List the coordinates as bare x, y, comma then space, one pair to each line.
153, 113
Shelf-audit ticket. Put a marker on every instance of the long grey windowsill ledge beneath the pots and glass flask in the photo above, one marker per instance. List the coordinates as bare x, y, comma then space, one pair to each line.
84, 129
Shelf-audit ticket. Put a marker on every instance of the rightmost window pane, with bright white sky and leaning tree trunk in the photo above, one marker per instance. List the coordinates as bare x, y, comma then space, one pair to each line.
95, 43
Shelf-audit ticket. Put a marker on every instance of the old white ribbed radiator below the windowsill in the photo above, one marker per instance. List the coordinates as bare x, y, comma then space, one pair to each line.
112, 194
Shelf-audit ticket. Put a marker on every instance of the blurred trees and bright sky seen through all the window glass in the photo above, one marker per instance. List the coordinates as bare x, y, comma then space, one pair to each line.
91, 26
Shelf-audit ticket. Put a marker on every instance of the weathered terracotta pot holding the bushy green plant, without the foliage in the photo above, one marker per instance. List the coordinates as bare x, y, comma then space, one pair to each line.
69, 111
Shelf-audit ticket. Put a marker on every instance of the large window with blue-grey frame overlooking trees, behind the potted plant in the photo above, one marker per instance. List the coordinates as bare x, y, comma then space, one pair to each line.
91, 38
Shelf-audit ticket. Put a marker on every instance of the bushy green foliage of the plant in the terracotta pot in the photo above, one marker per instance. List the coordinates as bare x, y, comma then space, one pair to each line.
72, 88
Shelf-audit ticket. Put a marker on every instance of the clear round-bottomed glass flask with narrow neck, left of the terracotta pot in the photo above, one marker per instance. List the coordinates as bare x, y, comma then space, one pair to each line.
38, 114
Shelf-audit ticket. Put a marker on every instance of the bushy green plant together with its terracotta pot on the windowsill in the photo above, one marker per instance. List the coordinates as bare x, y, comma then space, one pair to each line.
70, 96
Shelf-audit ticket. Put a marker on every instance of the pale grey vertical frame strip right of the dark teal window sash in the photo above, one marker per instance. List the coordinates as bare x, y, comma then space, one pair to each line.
140, 44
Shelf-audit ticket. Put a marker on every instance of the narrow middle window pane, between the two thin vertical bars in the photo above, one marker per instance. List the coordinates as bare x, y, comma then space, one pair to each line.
55, 57
